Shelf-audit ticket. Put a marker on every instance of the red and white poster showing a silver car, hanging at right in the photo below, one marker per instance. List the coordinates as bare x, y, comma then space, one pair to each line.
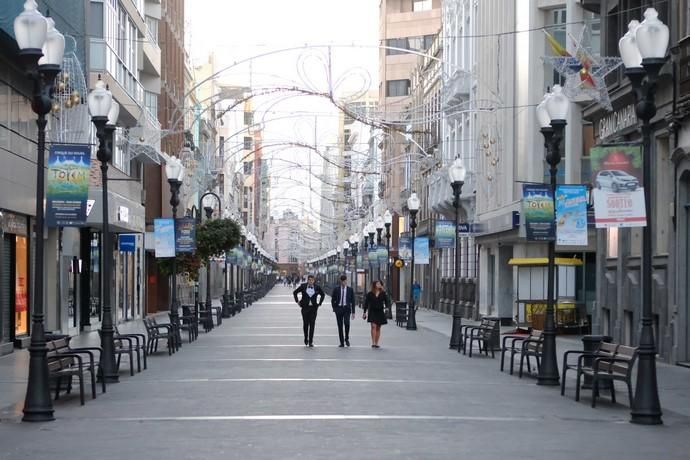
617, 188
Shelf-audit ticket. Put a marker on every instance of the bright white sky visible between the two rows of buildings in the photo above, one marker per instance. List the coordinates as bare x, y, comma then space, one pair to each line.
248, 37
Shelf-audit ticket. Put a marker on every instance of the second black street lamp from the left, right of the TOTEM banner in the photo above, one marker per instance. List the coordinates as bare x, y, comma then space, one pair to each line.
104, 113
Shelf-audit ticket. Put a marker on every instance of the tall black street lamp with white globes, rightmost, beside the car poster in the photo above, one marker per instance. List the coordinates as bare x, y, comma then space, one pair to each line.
643, 49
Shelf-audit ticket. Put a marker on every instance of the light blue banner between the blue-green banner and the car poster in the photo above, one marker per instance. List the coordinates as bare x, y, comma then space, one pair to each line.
571, 215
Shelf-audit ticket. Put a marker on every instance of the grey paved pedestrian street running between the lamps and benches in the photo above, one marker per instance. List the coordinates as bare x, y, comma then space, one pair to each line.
251, 390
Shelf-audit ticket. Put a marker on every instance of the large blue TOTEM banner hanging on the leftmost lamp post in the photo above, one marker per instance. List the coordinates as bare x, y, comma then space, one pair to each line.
67, 188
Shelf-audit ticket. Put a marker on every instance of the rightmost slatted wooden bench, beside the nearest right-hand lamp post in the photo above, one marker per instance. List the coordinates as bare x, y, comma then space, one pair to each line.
610, 363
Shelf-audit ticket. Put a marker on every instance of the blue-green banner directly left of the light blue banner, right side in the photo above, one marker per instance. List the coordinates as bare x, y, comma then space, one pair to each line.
537, 206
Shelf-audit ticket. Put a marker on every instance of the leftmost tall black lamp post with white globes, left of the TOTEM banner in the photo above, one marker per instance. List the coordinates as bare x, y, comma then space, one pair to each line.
41, 49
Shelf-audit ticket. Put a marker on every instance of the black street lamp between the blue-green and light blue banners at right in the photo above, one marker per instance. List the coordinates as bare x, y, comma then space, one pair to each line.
551, 113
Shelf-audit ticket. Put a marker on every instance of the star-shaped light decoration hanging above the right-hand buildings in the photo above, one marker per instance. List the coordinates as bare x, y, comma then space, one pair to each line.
584, 73
